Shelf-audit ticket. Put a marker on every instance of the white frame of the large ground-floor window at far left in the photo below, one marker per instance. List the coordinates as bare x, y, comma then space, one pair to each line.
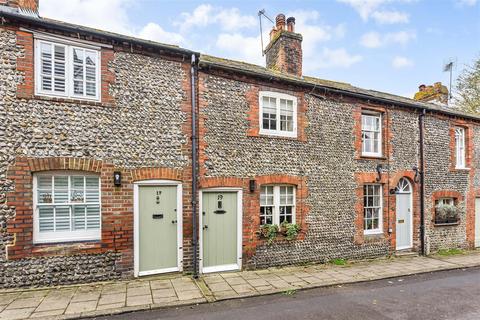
64, 236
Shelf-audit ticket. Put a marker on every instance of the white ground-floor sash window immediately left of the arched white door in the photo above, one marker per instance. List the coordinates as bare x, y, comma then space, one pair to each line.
372, 208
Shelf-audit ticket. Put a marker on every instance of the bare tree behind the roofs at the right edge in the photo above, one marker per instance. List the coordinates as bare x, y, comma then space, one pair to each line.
468, 89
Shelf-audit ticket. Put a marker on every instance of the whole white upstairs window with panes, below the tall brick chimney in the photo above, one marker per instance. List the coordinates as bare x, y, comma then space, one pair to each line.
278, 114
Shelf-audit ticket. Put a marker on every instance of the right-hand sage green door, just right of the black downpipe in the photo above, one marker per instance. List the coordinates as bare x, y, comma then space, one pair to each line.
219, 227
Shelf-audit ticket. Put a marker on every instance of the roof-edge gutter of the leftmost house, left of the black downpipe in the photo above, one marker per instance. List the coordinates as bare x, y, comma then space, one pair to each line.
10, 13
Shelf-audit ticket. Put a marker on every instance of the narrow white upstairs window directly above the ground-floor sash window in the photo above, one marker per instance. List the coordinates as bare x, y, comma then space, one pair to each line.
372, 134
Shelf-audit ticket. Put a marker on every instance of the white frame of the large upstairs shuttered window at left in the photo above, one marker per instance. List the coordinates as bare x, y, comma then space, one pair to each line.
69, 81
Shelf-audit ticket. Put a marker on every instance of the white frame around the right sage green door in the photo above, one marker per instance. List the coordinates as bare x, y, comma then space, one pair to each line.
238, 265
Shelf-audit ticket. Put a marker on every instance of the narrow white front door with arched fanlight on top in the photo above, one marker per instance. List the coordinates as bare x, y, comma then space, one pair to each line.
404, 229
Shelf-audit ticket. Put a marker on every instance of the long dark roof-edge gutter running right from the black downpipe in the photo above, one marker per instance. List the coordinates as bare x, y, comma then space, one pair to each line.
313, 86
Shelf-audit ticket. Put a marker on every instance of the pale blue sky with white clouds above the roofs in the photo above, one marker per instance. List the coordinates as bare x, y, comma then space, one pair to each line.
386, 45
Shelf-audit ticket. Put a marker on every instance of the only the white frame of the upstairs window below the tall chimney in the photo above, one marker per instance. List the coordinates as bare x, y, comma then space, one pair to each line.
277, 96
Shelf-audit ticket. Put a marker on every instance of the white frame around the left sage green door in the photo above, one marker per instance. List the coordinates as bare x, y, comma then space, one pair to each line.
136, 233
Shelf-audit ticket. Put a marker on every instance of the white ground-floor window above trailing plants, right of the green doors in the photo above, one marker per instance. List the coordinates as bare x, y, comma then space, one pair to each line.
277, 204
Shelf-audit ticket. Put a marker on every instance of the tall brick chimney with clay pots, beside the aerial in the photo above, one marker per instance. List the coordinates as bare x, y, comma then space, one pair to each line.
284, 52
